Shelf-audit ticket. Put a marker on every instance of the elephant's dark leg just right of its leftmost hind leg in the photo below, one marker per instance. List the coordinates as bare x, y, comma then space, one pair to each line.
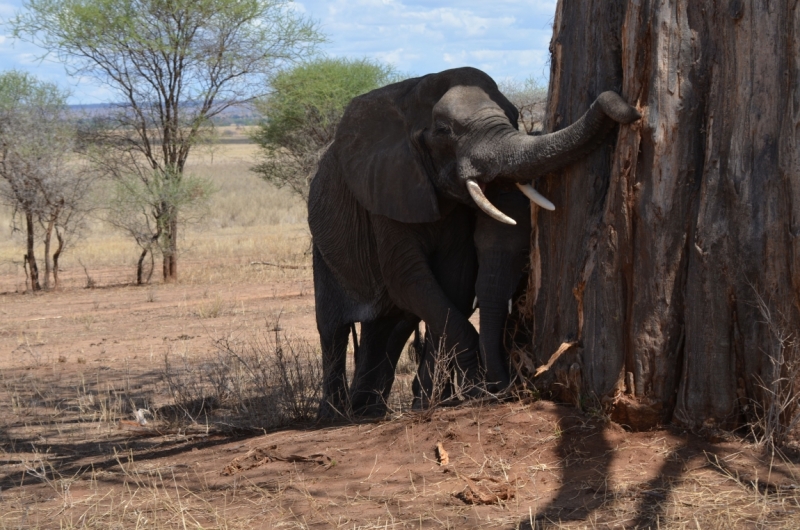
382, 342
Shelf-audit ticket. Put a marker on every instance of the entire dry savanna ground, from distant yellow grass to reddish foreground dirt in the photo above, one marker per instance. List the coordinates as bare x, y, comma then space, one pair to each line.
191, 405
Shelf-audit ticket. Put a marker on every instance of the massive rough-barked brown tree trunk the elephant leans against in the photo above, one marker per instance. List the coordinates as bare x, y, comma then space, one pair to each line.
663, 240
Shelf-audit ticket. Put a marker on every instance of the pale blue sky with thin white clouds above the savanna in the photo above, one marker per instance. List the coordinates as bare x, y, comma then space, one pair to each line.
508, 39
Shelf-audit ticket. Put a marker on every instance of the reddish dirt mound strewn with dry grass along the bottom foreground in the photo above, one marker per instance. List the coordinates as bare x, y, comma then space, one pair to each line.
553, 468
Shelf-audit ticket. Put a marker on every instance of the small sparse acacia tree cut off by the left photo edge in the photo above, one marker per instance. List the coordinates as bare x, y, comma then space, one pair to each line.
46, 187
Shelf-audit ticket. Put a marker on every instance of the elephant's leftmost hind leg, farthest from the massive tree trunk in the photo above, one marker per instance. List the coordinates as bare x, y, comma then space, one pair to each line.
332, 309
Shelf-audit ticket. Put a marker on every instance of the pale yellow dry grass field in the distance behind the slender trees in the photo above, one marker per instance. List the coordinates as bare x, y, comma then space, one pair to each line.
248, 220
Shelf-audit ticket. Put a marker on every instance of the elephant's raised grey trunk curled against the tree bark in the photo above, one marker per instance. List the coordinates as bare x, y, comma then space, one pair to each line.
522, 157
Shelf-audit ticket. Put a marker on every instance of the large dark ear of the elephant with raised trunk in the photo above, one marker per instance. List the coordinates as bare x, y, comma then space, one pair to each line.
379, 161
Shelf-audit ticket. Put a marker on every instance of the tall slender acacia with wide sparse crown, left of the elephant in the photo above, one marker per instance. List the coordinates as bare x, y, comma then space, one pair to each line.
174, 65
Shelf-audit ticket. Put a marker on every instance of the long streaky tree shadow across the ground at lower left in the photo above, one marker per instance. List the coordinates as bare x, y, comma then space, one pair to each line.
55, 438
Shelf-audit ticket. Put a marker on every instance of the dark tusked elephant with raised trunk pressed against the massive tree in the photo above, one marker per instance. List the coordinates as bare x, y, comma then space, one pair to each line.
392, 212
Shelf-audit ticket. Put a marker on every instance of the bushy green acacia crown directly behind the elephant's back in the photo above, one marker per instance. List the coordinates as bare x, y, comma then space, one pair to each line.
303, 110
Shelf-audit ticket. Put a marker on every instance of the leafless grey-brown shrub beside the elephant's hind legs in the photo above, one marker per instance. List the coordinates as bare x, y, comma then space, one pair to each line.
257, 382
